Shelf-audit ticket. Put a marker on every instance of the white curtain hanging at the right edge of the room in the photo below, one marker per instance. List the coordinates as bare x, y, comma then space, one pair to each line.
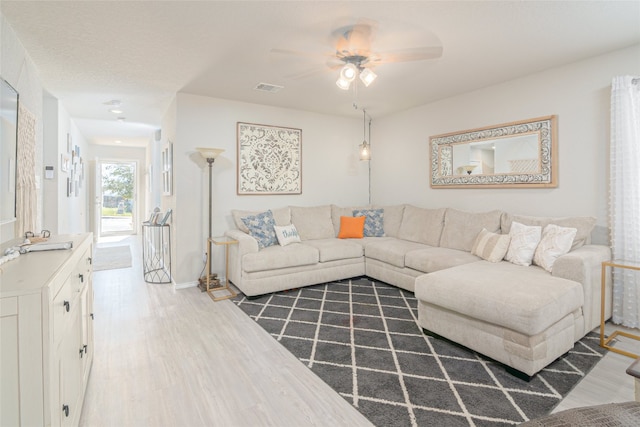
625, 197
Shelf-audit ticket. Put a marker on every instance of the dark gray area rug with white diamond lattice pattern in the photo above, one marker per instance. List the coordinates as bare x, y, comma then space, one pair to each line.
361, 337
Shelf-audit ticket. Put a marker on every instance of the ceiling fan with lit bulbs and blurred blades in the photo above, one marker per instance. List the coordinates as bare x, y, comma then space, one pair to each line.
355, 55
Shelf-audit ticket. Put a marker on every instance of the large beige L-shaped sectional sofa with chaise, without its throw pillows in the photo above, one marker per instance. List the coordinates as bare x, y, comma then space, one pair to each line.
522, 316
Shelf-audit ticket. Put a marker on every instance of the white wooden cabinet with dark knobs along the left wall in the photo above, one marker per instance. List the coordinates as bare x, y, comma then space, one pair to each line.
46, 326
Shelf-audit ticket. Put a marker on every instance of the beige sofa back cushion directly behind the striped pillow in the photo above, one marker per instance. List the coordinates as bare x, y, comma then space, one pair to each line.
461, 228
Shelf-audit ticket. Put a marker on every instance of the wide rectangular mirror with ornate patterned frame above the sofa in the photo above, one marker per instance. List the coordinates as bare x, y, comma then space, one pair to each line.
517, 154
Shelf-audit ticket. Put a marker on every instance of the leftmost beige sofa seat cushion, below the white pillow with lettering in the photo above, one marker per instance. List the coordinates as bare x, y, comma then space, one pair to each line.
275, 257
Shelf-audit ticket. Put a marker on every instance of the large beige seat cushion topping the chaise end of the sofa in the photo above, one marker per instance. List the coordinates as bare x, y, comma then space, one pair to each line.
524, 299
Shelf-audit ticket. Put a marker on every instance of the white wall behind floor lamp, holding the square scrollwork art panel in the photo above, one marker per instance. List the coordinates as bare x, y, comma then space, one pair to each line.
331, 171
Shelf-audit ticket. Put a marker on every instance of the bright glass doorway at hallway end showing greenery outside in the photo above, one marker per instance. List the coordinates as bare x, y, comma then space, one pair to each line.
118, 197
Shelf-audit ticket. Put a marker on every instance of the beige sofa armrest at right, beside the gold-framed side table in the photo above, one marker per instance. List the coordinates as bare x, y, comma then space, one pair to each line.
584, 265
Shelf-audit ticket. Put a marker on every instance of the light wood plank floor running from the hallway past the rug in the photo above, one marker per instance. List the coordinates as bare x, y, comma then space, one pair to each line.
176, 358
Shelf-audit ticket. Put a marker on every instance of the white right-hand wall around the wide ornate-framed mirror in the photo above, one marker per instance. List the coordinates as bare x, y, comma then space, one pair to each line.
578, 93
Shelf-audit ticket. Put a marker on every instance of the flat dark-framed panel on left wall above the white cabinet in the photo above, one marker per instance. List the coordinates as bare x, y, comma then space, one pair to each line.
9, 99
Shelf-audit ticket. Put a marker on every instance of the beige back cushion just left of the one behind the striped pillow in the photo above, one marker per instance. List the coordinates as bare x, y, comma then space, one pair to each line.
421, 225
